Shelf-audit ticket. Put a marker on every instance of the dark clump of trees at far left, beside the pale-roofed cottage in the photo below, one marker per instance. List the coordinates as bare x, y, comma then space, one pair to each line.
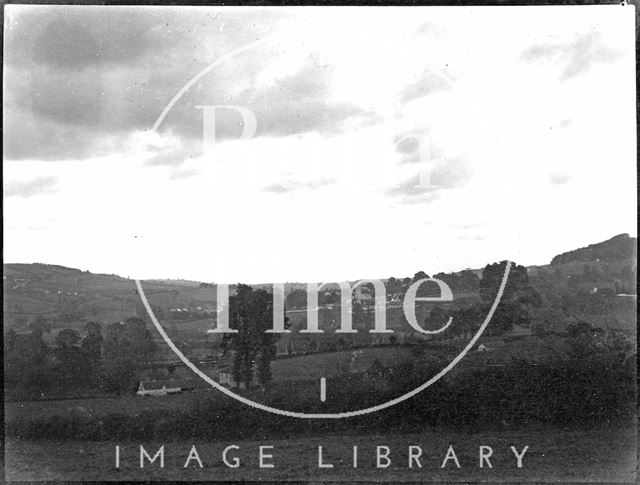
108, 361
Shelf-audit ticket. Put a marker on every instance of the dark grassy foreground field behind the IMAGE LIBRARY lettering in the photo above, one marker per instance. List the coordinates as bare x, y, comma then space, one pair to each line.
599, 454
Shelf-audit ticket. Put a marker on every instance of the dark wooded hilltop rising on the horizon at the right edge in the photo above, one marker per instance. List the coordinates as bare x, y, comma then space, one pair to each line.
619, 248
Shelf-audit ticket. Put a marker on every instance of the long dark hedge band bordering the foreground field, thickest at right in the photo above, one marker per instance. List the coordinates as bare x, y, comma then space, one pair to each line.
591, 384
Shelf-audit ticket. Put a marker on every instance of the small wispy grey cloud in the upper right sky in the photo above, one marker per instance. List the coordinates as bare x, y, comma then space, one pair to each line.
573, 58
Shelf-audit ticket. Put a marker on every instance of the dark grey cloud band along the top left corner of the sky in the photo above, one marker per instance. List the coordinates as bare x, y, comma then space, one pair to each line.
74, 37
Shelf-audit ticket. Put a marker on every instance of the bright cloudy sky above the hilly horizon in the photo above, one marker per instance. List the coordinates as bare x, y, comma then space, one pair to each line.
387, 140
